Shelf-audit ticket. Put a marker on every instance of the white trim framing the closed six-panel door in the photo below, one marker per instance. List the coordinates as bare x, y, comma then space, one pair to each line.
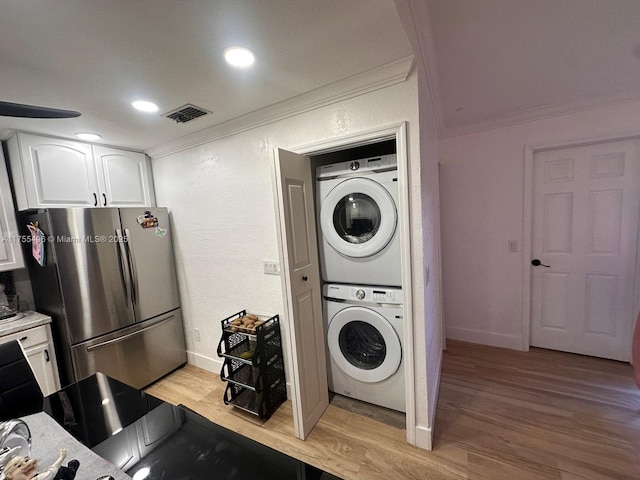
529, 151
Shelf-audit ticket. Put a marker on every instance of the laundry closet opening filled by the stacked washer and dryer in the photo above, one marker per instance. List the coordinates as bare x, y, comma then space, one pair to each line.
349, 216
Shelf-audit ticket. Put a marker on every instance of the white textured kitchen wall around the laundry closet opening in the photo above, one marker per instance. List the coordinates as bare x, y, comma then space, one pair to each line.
221, 203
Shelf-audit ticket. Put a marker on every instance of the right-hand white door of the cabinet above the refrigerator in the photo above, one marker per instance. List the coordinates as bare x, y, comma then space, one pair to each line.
125, 178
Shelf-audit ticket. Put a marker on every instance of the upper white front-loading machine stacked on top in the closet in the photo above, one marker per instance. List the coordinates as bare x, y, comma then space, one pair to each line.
358, 221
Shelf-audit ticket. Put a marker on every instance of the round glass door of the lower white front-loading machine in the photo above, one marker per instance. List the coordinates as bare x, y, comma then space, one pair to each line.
364, 344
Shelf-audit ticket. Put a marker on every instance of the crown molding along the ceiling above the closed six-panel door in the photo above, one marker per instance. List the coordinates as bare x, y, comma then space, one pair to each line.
540, 113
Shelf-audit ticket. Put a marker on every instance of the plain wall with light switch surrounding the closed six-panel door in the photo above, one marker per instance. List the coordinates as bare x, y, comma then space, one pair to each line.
481, 187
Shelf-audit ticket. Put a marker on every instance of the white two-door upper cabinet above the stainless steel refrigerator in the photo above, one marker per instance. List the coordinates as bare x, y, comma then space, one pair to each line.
53, 172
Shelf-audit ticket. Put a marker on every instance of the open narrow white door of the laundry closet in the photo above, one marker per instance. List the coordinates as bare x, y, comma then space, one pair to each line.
301, 284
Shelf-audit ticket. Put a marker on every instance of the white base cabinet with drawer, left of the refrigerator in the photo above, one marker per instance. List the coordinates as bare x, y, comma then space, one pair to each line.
38, 345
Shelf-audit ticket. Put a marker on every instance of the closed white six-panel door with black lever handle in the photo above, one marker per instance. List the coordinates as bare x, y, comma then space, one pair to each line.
585, 227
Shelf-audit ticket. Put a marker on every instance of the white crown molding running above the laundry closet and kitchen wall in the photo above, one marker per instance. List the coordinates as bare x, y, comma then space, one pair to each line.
381, 77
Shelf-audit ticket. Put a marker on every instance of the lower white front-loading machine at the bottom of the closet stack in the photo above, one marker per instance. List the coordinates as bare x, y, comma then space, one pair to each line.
364, 332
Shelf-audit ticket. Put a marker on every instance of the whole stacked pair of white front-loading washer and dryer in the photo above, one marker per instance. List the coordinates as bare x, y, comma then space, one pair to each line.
359, 250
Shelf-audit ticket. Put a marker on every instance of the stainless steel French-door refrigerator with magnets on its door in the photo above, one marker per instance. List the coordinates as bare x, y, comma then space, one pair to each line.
108, 281
